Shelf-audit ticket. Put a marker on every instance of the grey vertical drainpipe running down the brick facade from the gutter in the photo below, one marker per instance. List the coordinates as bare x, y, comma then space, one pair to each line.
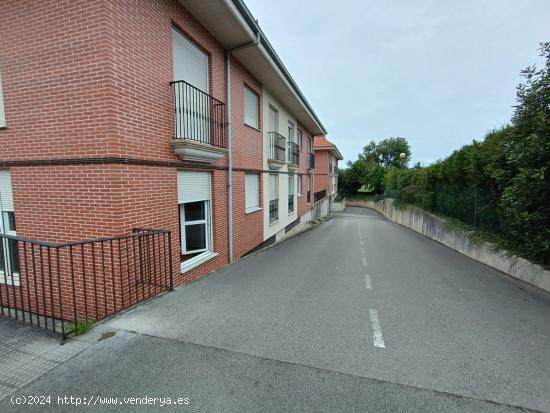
228, 53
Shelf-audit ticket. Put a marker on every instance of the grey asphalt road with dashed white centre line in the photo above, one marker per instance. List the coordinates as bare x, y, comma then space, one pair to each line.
358, 314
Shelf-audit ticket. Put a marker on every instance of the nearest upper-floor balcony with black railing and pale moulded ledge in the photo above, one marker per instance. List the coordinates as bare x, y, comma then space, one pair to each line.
200, 126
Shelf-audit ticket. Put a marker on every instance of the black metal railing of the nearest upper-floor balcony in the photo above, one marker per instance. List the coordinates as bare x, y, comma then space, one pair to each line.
198, 116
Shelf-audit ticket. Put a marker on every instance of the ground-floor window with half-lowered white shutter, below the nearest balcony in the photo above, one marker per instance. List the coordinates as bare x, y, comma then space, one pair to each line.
195, 212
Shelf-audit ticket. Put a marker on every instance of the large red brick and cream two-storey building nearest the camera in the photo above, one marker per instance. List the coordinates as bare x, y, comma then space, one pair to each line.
122, 114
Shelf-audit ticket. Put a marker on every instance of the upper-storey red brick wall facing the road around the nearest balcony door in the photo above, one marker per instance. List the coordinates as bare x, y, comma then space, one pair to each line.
141, 36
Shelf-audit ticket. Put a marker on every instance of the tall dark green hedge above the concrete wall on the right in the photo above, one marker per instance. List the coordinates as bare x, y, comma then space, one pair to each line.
499, 186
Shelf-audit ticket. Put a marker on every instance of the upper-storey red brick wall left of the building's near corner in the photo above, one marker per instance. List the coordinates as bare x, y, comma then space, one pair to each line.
57, 79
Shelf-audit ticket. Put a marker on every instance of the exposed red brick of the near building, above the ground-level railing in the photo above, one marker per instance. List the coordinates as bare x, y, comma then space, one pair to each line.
90, 78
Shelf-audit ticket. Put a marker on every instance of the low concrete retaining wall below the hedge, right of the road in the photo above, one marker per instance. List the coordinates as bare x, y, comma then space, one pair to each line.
437, 229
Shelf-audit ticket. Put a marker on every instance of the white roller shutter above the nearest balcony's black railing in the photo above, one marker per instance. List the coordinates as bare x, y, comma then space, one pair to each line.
190, 63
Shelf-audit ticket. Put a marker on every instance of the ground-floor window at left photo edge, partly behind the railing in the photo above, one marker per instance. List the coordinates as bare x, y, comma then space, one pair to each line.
9, 252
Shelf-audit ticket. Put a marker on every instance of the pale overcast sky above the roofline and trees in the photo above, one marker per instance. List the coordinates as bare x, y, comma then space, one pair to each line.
439, 73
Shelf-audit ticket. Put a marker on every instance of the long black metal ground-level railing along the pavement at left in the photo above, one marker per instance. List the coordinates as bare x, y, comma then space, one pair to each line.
54, 285
